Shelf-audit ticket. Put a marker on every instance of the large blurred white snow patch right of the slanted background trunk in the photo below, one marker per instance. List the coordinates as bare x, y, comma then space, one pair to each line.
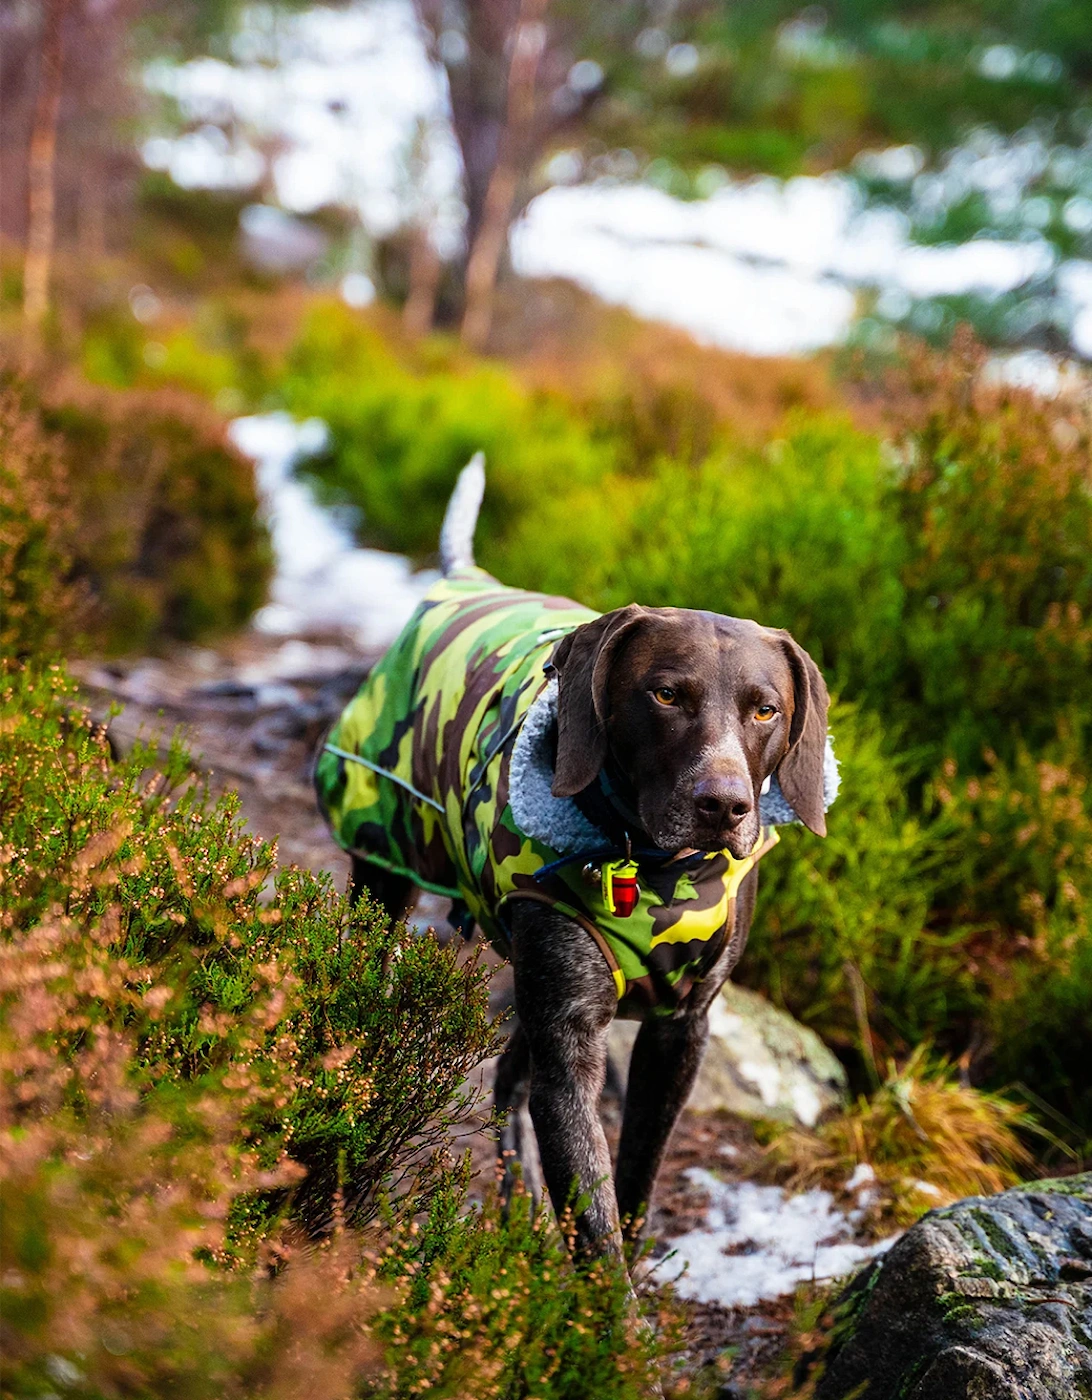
737, 271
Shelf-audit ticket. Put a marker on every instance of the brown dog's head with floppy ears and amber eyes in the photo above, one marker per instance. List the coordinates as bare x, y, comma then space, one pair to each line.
696, 712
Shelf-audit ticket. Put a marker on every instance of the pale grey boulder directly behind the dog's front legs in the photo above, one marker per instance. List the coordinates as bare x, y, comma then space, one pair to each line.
759, 1065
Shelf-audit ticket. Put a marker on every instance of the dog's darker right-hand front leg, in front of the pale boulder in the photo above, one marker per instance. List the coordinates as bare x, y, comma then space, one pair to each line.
666, 1060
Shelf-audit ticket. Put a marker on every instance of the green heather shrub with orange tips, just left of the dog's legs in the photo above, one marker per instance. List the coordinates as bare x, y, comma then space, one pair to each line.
355, 1037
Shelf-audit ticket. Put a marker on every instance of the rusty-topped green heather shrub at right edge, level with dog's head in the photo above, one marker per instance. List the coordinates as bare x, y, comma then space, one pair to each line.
995, 495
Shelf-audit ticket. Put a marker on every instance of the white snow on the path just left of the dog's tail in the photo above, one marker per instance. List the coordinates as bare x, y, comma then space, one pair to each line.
323, 580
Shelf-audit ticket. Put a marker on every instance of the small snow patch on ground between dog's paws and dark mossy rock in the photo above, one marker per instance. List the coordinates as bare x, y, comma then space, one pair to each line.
759, 1244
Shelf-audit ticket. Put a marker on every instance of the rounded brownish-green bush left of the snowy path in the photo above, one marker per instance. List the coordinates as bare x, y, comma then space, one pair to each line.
163, 527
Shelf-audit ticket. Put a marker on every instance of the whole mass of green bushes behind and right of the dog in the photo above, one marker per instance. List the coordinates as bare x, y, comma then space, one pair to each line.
940, 579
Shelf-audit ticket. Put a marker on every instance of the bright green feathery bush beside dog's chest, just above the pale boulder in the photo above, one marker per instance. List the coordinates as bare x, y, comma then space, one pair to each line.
856, 911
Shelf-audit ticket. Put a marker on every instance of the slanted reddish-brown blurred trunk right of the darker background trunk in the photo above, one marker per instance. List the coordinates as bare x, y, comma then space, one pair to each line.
488, 248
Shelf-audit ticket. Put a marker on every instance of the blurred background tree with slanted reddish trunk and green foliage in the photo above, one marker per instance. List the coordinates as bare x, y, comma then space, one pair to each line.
692, 92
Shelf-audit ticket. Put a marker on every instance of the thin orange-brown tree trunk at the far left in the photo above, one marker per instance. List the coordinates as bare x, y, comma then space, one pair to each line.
41, 226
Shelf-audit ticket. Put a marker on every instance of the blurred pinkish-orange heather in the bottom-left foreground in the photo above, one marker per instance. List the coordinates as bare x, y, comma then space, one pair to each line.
118, 1200
